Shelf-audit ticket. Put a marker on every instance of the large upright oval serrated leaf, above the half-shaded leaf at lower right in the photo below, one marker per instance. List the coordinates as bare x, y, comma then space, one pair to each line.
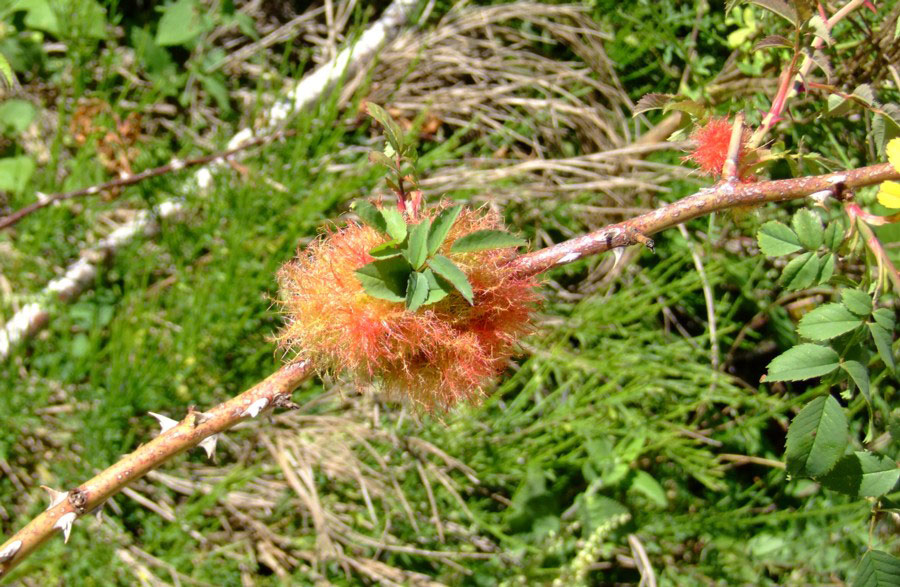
816, 438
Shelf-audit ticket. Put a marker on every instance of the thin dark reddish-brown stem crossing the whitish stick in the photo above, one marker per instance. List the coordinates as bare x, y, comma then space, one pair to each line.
170, 167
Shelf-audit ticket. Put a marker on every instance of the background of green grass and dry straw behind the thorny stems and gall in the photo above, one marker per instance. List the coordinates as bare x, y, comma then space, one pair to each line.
625, 415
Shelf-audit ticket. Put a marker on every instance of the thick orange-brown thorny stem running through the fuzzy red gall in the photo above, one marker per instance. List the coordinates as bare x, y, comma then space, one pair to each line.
275, 391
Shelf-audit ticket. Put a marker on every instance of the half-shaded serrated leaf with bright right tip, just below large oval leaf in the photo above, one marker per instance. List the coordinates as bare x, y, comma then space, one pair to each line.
862, 474
